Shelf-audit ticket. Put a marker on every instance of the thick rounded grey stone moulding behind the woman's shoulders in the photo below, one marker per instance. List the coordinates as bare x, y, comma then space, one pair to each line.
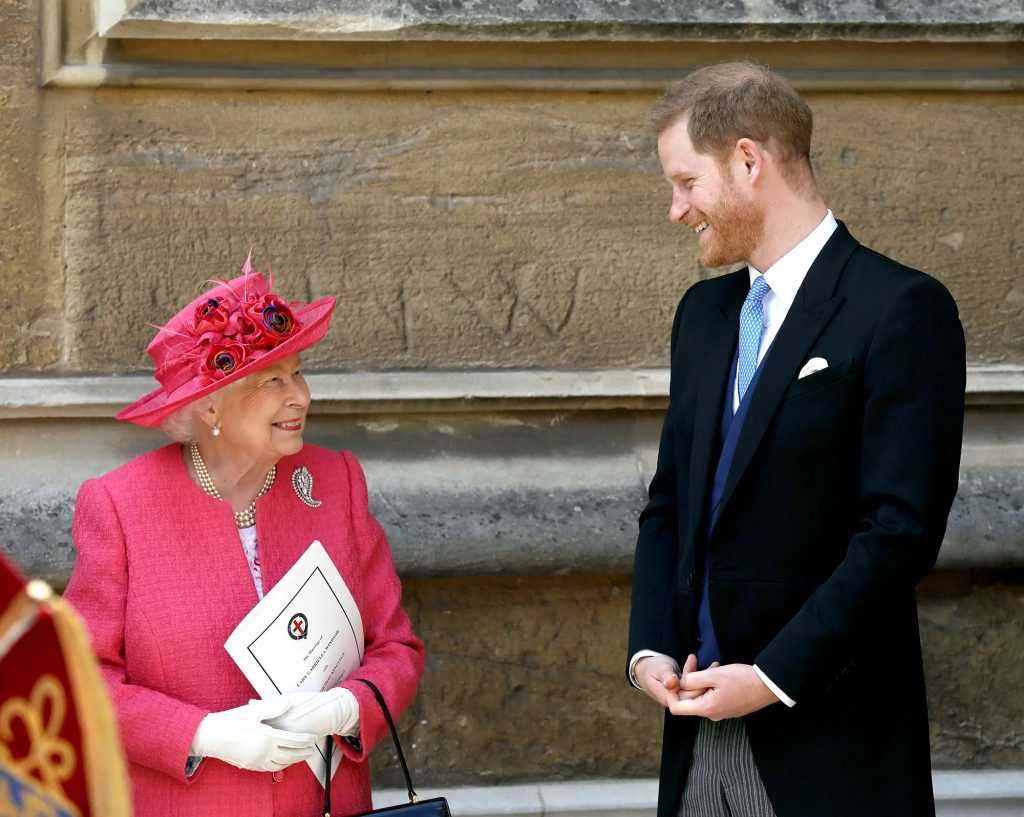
538, 495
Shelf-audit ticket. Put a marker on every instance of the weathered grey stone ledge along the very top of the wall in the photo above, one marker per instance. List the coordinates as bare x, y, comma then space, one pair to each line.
554, 20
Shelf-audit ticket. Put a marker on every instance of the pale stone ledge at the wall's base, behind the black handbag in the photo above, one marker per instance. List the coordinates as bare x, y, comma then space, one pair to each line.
958, 794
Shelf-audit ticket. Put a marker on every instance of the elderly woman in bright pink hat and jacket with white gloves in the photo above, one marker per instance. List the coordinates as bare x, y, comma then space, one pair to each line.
178, 546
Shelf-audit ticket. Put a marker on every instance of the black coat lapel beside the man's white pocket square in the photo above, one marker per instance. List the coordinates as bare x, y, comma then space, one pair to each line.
814, 309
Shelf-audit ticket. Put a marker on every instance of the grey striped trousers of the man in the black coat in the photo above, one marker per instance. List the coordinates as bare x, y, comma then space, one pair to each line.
723, 781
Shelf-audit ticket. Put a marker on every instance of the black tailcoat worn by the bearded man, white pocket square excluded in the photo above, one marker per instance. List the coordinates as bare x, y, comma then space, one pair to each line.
834, 509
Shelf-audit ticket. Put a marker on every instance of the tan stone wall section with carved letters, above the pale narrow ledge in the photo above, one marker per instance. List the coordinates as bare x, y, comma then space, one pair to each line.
458, 231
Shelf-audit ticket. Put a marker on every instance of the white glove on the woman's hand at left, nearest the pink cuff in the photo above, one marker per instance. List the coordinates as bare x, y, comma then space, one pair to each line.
241, 738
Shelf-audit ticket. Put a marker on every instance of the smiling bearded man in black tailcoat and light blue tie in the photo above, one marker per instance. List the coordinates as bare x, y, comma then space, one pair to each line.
808, 462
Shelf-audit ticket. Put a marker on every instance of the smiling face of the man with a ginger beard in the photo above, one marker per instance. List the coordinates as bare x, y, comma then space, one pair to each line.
707, 198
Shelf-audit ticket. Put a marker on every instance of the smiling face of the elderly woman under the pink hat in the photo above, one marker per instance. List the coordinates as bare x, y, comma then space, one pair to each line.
263, 416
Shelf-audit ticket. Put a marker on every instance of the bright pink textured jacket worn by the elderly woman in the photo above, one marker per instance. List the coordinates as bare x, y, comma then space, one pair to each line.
161, 581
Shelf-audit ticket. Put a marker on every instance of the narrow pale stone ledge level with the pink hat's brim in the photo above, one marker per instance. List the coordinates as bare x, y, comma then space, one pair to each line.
403, 393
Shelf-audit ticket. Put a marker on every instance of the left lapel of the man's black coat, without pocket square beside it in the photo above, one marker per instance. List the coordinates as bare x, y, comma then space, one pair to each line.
714, 359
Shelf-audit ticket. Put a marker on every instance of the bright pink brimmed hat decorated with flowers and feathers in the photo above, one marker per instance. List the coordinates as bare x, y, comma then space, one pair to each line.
236, 329
